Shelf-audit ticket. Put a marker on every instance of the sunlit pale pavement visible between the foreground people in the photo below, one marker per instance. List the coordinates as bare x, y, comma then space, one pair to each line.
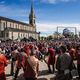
43, 75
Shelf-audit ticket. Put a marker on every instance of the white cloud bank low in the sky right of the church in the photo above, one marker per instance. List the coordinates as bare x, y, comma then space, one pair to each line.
49, 28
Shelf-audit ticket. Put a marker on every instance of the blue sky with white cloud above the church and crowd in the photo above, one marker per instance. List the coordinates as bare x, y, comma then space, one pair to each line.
49, 13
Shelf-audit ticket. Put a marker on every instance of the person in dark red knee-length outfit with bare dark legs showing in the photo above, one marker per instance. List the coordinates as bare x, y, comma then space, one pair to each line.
51, 59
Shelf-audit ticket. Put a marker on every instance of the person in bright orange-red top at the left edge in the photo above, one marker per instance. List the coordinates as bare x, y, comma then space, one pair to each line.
3, 64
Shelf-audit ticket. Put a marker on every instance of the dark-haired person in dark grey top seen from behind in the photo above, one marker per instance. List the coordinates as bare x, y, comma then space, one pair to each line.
63, 64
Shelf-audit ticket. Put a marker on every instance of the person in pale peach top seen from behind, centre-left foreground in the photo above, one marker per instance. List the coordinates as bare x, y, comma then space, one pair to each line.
31, 66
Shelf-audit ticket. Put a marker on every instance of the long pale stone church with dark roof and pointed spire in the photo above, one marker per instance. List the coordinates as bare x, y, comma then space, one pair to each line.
12, 29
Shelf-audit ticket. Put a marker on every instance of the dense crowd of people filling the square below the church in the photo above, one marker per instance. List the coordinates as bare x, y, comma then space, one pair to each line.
26, 55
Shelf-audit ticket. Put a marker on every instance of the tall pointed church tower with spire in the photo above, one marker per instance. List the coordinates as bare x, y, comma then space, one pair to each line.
32, 17
